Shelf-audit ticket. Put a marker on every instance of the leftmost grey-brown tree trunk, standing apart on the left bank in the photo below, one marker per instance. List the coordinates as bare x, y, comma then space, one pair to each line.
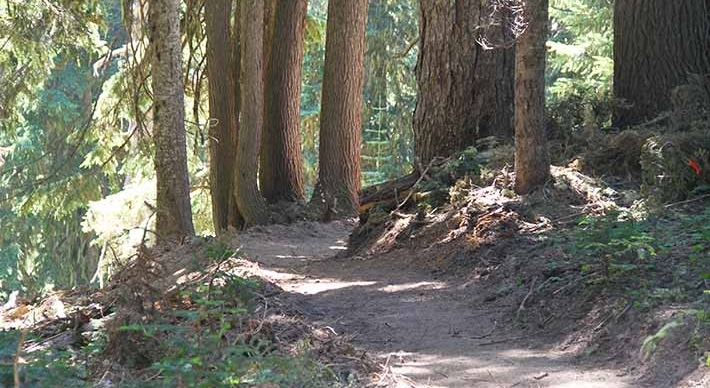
174, 212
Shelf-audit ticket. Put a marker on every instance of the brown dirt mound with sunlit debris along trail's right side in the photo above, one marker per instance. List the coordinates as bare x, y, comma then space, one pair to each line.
505, 245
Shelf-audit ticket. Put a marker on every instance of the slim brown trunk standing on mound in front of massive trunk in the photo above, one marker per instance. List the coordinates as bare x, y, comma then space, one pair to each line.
532, 160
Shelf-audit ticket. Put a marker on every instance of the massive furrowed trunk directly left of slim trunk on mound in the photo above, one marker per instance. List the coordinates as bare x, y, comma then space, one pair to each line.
465, 89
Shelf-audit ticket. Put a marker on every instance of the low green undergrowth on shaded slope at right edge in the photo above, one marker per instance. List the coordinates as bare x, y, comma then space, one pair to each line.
659, 260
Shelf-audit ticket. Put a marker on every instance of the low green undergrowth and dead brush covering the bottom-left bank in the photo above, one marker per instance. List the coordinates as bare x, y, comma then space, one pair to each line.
211, 333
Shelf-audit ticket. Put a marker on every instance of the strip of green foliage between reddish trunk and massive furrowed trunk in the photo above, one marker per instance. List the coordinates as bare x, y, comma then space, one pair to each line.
390, 90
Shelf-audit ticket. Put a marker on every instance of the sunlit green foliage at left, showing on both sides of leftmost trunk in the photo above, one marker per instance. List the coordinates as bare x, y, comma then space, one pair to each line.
72, 135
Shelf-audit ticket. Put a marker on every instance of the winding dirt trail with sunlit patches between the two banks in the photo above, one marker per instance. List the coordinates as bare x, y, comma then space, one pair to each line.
432, 330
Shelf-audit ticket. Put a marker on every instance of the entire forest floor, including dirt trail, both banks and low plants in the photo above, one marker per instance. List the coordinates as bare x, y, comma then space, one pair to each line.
487, 290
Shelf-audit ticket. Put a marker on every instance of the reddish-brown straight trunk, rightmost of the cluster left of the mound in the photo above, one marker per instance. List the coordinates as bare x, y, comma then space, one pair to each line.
336, 191
